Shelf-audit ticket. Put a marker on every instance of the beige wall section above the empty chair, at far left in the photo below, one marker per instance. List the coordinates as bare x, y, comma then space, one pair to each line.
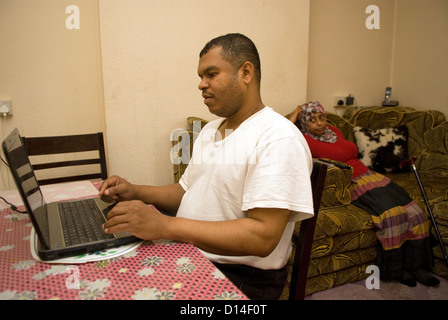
51, 74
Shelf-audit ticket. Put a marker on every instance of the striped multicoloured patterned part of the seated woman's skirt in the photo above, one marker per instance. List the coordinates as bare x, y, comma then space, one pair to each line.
396, 216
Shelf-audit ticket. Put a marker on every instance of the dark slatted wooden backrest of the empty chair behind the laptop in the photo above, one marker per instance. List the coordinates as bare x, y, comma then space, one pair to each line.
76, 144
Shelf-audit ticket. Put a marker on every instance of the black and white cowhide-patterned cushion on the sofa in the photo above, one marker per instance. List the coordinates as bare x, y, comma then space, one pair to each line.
382, 150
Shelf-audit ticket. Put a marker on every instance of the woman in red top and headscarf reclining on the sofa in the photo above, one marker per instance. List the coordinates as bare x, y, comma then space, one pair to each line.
402, 226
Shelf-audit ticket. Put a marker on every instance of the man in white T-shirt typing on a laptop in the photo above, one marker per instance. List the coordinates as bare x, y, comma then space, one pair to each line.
245, 186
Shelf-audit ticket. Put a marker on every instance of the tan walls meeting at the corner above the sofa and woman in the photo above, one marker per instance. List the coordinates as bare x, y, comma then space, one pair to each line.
409, 52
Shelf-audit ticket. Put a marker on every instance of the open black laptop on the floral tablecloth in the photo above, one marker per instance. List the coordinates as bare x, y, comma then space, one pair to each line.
53, 223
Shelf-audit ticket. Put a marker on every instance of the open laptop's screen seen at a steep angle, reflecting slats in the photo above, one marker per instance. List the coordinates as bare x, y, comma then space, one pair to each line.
26, 183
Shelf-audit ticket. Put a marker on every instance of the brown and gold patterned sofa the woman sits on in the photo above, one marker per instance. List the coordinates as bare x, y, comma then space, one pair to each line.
345, 241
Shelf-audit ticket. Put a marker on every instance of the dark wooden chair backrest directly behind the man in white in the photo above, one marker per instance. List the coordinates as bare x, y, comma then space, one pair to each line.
304, 238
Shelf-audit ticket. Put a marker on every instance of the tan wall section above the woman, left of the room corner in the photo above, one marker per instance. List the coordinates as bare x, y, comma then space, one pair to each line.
344, 56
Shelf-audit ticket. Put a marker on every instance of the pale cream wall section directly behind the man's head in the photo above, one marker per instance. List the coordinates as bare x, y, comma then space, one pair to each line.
150, 52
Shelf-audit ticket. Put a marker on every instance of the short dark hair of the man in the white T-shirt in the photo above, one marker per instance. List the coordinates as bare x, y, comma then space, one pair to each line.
236, 49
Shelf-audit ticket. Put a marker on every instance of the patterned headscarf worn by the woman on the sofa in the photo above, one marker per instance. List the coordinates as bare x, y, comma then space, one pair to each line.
308, 109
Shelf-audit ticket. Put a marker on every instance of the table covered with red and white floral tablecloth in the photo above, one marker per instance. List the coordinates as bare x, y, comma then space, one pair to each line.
162, 270
